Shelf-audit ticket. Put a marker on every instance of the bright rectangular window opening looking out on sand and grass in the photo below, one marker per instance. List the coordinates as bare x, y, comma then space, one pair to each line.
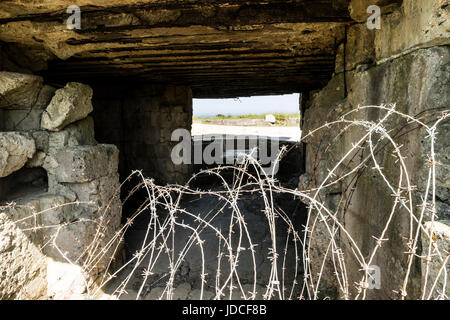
263, 116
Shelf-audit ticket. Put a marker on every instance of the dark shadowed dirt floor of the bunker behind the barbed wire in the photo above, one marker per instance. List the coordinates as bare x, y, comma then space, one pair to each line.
187, 282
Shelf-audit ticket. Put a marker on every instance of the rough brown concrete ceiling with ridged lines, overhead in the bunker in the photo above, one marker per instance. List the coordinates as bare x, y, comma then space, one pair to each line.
219, 48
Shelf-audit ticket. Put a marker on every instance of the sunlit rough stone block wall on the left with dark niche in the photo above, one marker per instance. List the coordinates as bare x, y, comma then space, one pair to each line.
59, 191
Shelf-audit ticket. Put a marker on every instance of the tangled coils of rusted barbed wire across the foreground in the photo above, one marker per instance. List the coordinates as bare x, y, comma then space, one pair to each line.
163, 204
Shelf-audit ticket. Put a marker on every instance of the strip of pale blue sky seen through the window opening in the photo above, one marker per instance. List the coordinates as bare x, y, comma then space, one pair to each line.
288, 103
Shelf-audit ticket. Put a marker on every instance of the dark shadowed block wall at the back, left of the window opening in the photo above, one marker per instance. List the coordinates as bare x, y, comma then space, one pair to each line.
140, 121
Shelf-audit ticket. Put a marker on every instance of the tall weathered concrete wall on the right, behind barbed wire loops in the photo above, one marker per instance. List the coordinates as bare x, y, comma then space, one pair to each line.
406, 62
